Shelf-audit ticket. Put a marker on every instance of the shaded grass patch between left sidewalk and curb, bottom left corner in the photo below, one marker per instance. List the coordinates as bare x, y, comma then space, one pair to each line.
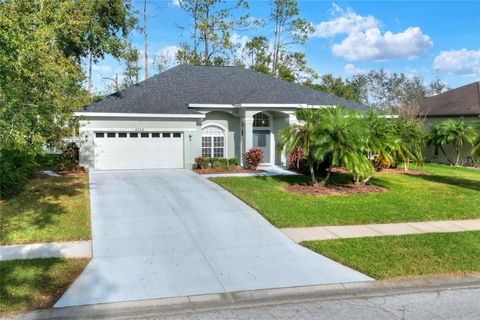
37, 283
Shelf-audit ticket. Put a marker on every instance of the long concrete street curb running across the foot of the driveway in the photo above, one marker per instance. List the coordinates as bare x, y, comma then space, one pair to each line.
245, 299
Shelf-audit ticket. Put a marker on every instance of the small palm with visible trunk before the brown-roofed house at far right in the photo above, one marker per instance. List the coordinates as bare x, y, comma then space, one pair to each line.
455, 132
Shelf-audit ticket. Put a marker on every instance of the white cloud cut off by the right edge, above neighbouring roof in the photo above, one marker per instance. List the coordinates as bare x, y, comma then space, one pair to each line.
463, 61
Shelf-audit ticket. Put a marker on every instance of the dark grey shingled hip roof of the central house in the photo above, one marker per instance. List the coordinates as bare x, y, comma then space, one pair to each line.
171, 92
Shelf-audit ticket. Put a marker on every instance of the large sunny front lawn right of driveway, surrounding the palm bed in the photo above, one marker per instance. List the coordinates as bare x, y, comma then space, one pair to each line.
448, 193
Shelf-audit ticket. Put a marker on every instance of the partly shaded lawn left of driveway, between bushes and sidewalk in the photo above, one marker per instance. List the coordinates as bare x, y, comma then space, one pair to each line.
49, 209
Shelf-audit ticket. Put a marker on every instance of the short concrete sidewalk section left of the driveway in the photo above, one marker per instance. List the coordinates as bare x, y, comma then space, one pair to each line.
73, 249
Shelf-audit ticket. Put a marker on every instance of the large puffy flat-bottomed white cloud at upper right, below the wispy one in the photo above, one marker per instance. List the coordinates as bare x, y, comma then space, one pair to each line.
372, 45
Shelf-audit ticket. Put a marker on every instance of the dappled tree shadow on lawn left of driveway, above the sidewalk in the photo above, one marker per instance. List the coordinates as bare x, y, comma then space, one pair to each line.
40, 202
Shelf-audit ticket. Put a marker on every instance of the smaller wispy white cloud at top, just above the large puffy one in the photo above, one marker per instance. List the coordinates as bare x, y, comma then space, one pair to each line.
346, 21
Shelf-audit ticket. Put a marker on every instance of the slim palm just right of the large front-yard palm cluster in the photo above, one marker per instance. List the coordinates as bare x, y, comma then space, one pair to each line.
411, 140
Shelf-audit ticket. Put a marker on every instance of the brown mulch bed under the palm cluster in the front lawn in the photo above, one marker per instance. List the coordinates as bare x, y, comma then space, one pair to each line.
334, 190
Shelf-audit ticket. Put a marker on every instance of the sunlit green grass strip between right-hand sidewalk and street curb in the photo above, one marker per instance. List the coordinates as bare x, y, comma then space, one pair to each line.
409, 255
